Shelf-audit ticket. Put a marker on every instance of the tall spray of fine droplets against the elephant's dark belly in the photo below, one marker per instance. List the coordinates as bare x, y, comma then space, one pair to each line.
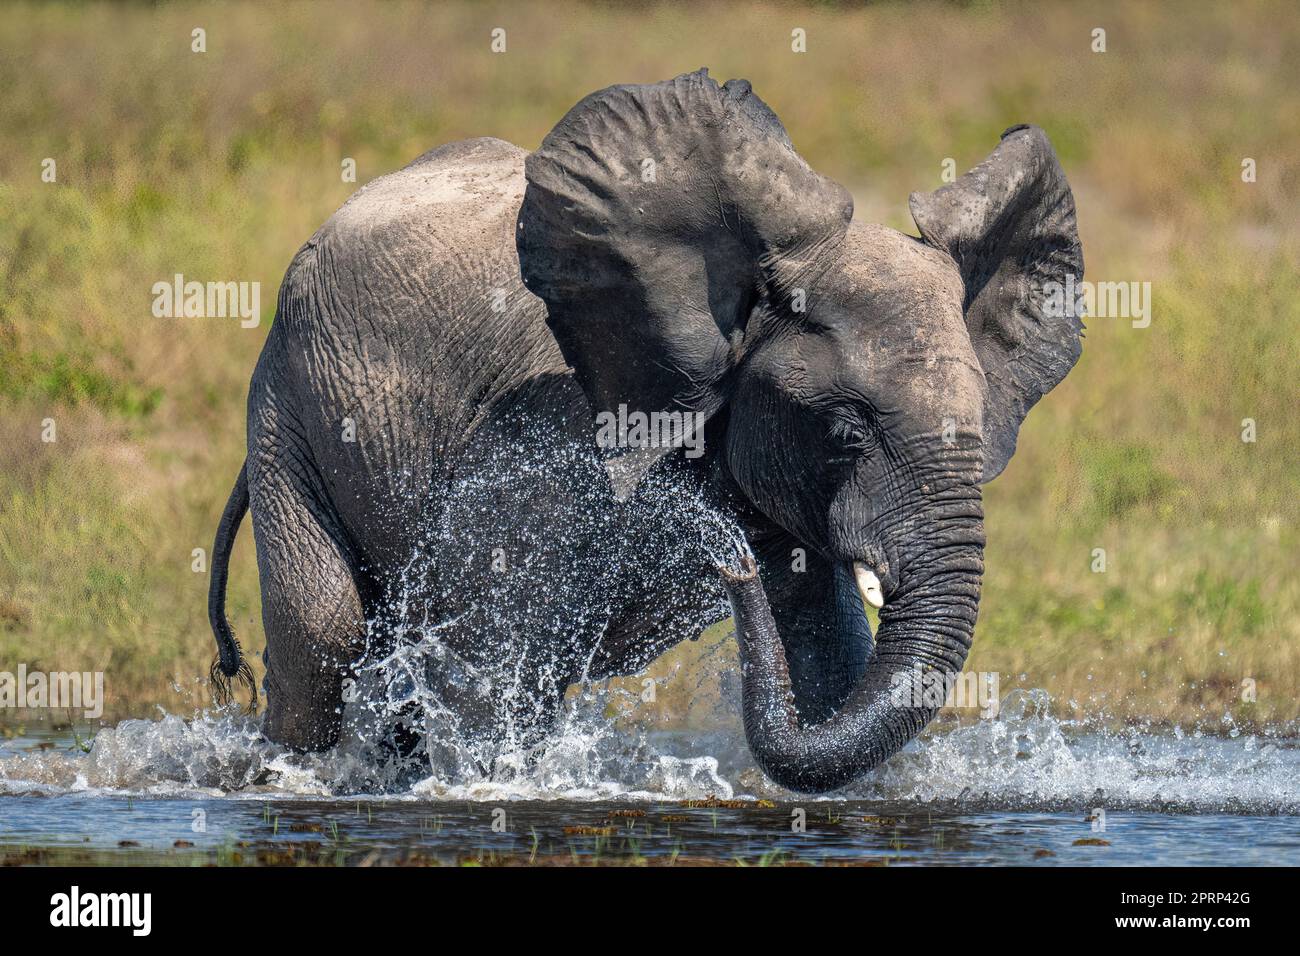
505, 603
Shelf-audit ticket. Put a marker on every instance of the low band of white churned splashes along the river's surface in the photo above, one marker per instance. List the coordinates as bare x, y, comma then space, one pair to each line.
1024, 760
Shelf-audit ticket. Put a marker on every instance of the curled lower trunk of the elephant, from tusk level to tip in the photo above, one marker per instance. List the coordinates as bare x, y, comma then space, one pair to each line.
925, 629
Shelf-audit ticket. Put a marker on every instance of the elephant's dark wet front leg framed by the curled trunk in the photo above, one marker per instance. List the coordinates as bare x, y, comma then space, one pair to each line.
821, 620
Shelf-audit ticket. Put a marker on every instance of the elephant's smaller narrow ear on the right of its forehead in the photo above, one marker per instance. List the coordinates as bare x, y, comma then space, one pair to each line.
1009, 226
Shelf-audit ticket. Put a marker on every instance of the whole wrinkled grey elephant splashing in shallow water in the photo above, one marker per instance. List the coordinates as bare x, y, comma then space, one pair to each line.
859, 384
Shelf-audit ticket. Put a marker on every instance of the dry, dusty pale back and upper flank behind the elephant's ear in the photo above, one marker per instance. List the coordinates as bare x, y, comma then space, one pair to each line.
406, 317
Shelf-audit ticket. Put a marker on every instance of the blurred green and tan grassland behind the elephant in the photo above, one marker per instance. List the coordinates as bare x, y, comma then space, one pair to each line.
220, 165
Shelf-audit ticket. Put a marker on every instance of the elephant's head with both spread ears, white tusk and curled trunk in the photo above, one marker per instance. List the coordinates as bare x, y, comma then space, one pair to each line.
860, 384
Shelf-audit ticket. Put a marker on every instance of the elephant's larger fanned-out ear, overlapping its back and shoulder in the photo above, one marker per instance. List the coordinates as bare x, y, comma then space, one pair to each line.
656, 220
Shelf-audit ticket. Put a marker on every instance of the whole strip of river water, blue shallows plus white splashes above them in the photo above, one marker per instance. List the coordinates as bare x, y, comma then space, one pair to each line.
1024, 789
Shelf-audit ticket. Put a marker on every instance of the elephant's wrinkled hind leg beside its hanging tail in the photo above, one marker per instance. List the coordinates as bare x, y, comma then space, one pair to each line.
313, 611
